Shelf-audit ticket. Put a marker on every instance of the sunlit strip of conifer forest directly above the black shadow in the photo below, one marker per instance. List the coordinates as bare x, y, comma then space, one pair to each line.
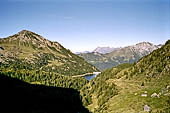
43, 78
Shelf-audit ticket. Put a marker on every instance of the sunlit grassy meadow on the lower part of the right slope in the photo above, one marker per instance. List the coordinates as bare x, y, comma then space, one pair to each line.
129, 99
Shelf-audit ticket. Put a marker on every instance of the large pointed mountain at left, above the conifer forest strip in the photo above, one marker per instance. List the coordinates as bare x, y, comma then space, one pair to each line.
28, 50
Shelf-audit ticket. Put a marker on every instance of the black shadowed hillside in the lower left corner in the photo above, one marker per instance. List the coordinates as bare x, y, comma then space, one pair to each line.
17, 97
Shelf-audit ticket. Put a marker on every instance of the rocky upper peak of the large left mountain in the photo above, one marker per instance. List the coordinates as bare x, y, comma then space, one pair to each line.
32, 40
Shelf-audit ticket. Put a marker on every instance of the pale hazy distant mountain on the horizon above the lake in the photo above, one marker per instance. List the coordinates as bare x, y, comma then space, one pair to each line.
104, 50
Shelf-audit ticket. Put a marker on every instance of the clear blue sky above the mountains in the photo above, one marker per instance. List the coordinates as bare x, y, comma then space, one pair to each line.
83, 25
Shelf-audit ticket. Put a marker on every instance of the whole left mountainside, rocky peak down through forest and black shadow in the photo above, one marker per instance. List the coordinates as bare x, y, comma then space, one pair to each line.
34, 69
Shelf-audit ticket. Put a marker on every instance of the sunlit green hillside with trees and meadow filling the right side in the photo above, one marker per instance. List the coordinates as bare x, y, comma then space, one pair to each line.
142, 87
